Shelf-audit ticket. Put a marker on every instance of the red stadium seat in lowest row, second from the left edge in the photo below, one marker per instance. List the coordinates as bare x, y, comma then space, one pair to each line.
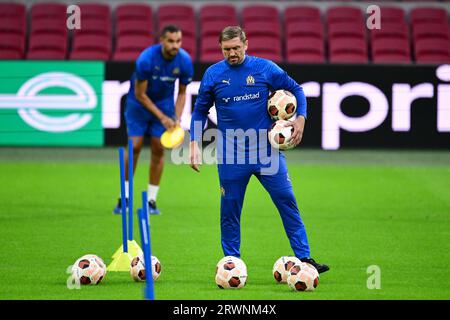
47, 47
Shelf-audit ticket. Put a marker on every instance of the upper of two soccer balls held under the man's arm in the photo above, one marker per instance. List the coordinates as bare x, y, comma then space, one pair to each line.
281, 105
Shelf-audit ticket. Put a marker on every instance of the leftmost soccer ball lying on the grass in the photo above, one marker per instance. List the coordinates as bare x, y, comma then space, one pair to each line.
89, 269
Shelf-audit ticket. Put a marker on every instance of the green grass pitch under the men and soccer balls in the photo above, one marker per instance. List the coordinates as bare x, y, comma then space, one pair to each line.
390, 209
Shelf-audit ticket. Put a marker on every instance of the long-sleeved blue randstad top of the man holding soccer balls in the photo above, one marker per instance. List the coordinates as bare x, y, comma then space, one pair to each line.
240, 94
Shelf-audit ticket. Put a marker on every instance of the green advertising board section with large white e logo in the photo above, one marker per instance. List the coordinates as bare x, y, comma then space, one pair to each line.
51, 104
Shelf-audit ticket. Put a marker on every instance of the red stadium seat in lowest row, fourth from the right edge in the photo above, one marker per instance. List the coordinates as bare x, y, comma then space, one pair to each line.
305, 49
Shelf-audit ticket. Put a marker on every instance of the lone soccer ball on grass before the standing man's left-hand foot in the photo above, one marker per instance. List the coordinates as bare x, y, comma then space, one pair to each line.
231, 273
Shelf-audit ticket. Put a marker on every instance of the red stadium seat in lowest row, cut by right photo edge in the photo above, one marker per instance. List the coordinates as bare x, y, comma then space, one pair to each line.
432, 51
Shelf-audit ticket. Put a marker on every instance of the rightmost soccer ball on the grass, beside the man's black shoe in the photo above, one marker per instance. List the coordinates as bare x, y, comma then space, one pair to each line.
303, 277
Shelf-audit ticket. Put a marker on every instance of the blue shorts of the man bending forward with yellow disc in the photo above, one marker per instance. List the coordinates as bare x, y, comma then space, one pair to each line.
141, 122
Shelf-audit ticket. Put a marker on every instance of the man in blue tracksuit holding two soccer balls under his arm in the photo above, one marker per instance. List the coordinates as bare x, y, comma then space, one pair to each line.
239, 87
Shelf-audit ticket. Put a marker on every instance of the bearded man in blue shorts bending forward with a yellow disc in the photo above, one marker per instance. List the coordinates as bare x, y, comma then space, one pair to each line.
150, 108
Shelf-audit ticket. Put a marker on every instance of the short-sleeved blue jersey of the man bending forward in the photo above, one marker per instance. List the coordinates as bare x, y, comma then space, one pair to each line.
161, 75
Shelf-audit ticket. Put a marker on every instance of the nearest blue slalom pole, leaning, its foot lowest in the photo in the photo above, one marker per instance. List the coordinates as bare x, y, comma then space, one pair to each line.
144, 226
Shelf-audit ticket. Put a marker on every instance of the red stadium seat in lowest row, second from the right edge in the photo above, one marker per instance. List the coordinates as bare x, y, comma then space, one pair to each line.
391, 51
